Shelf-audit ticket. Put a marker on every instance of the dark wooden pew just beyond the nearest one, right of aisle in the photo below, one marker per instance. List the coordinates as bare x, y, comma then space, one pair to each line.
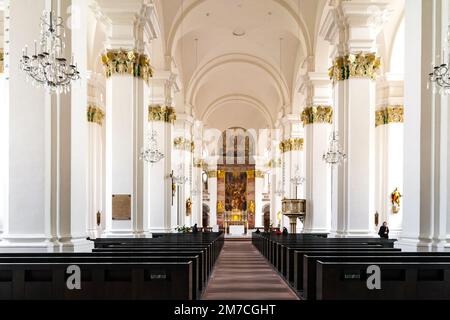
310, 261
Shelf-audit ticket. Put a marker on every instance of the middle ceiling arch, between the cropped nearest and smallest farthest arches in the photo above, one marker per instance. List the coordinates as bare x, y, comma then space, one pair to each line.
203, 71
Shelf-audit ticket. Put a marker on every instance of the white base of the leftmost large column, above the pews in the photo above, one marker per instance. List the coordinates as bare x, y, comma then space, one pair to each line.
39, 243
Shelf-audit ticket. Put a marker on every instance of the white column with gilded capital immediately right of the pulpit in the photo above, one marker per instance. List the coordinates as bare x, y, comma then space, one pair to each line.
317, 119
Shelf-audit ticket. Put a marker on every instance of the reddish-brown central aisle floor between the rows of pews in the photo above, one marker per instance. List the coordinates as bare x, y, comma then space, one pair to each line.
242, 273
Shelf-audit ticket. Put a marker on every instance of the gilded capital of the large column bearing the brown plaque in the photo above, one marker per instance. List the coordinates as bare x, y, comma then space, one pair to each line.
127, 62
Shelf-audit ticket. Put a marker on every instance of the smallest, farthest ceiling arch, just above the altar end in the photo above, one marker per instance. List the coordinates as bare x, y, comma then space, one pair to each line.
238, 98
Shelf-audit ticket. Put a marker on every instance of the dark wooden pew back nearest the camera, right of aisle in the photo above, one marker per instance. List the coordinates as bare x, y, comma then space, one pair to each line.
400, 281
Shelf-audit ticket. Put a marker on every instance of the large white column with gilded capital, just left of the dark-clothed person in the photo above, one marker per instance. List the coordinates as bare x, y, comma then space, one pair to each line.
350, 30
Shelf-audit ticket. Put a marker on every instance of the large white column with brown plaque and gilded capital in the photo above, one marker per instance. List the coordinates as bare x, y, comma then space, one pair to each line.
126, 113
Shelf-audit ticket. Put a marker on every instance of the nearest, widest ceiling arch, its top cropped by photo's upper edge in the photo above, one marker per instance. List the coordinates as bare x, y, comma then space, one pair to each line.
305, 40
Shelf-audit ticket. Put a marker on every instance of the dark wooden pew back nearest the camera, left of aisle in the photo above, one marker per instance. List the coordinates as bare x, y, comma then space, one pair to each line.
100, 281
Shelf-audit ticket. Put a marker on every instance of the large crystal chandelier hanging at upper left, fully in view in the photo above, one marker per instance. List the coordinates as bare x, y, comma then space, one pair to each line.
47, 67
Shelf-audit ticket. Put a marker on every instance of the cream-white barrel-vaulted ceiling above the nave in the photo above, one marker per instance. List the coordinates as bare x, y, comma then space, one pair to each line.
236, 80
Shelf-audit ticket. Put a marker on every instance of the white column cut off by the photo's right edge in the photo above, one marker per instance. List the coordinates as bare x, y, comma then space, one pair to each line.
426, 223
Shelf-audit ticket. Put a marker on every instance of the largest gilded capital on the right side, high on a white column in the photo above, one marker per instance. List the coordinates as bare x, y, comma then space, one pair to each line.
355, 65
